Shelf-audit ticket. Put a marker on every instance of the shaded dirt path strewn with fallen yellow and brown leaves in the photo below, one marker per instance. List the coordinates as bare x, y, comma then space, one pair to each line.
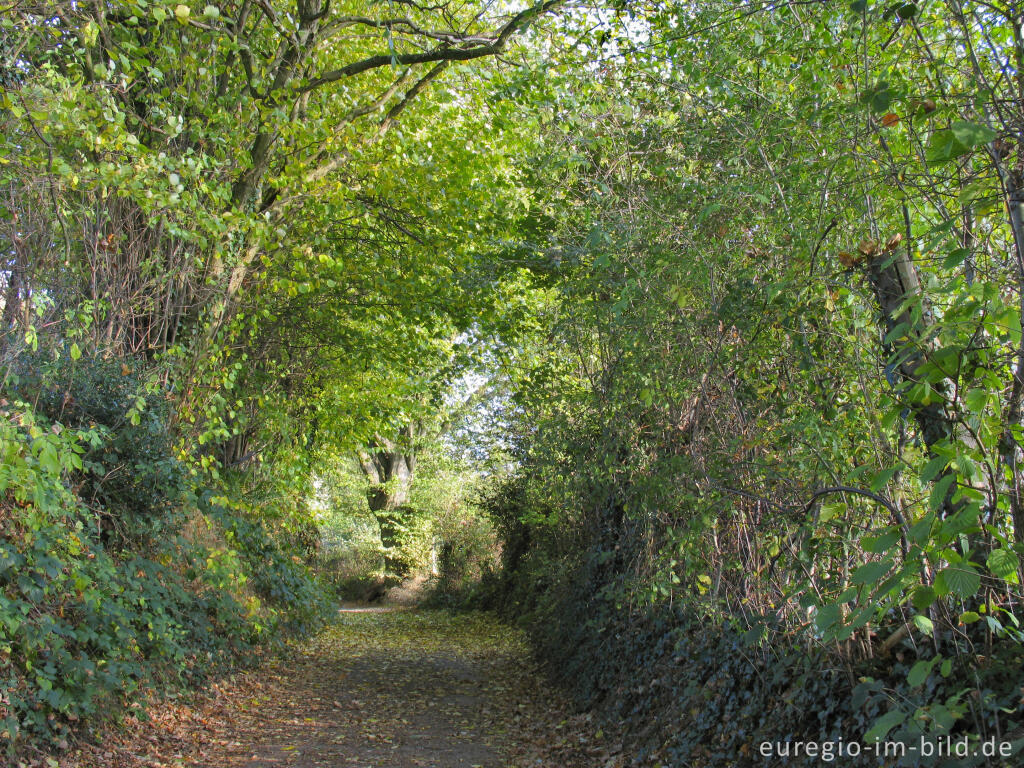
383, 690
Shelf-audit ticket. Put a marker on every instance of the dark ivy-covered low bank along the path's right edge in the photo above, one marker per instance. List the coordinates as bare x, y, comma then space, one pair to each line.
695, 688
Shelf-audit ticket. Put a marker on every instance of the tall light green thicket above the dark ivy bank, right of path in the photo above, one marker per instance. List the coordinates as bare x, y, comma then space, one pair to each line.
728, 408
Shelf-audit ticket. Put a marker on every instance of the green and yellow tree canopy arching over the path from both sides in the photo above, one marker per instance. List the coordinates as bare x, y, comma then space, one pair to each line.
743, 283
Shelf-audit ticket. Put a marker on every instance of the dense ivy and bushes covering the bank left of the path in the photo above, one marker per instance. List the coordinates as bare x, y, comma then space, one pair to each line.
92, 623
